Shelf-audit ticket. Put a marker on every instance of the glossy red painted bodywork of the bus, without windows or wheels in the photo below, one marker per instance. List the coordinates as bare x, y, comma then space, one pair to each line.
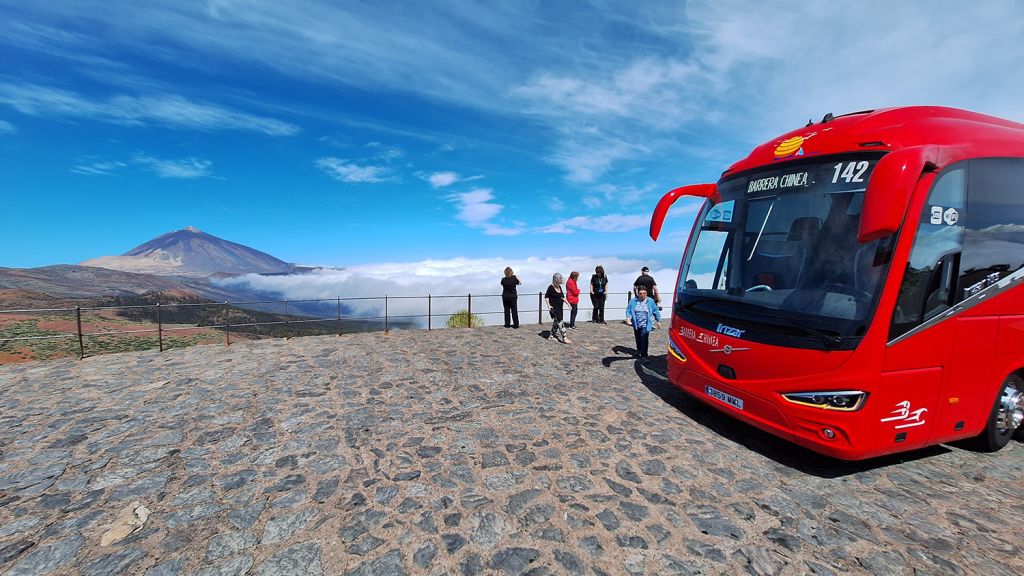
935, 386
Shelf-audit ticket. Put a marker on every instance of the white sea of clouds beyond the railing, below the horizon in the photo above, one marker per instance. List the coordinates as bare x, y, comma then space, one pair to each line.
451, 281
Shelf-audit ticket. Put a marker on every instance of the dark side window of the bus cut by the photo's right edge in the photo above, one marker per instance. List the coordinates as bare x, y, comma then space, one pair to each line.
994, 239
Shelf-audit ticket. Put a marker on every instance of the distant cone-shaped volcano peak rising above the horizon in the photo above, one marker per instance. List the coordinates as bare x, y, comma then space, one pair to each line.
192, 253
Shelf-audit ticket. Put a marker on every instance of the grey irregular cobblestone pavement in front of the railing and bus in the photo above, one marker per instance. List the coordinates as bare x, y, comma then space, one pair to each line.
484, 451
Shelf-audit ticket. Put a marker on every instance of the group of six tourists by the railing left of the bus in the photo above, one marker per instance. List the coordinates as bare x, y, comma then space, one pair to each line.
644, 312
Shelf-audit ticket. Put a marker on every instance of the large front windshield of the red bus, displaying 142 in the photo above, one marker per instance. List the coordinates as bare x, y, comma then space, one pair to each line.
777, 257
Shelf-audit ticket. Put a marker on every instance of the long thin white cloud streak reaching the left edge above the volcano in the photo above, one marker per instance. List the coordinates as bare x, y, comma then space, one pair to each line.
164, 110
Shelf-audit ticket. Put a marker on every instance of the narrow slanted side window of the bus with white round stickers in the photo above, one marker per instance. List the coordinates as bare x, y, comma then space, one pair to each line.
928, 283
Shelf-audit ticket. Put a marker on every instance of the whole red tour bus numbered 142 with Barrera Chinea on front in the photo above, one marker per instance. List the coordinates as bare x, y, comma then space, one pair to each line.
857, 286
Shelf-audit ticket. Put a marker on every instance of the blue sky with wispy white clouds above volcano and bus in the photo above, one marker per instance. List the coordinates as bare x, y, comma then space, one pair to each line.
357, 133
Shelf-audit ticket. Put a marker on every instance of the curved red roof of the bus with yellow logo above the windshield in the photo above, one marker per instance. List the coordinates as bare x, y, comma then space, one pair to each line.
889, 130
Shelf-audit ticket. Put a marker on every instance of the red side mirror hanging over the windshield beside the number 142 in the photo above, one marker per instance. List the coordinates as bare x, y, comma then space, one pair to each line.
890, 188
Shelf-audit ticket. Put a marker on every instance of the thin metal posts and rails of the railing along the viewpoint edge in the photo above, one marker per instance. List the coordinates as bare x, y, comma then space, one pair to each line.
227, 326
